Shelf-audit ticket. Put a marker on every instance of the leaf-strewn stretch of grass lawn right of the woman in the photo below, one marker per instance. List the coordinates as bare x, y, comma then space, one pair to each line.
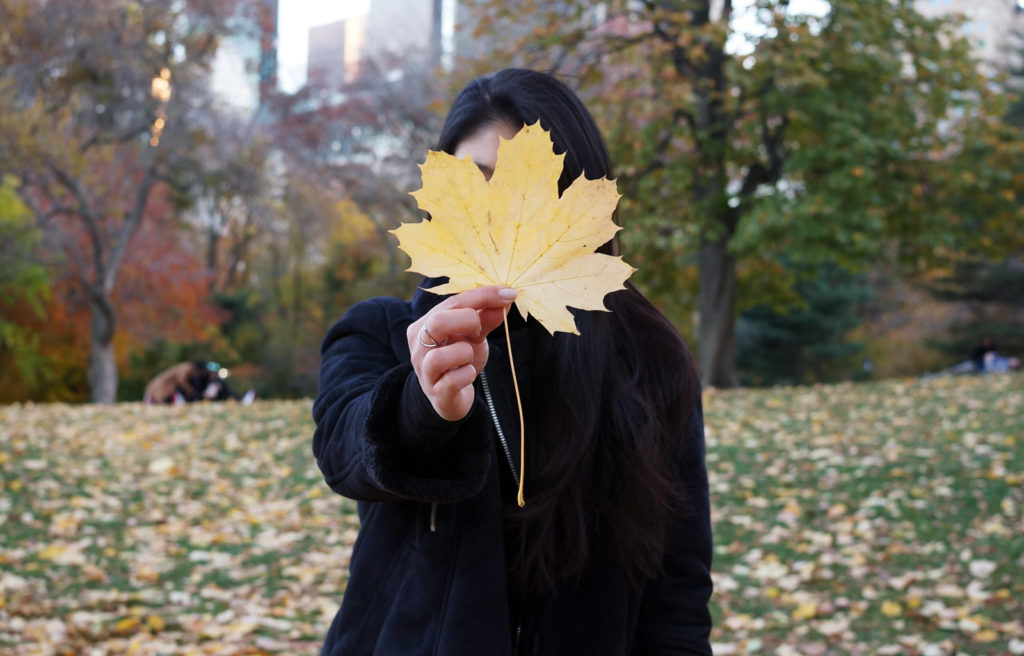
870, 519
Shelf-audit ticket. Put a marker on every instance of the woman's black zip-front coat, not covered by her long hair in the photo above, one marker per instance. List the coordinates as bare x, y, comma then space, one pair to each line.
428, 575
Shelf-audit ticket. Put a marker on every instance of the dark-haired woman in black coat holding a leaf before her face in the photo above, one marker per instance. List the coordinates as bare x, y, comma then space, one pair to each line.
612, 553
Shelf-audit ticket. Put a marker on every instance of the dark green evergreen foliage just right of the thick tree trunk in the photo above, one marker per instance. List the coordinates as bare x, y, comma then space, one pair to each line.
807, 342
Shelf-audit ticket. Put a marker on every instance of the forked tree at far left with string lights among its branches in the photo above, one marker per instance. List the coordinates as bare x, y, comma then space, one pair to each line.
95, 107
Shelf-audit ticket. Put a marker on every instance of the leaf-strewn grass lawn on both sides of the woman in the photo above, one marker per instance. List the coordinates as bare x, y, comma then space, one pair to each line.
856, 519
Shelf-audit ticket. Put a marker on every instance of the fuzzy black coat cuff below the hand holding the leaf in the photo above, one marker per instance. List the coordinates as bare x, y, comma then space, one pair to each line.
414, 453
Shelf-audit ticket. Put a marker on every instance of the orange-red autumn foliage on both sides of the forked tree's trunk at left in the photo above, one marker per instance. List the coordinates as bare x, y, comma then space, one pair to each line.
162, 294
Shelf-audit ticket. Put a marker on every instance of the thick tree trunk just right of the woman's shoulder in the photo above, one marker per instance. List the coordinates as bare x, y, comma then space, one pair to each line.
716, 334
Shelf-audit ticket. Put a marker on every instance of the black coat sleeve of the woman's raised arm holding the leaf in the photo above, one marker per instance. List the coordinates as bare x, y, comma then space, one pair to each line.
377, 436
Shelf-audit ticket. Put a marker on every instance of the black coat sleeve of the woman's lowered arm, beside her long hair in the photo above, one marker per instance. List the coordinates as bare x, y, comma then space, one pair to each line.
674, 616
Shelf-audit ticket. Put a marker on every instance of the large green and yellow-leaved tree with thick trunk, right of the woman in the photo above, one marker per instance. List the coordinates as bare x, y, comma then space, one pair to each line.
863, 136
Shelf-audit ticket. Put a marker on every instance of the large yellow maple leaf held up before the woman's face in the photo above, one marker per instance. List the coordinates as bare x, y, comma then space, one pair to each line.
516, 231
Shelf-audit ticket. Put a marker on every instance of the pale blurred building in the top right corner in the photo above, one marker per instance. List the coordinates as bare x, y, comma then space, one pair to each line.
993, 27
